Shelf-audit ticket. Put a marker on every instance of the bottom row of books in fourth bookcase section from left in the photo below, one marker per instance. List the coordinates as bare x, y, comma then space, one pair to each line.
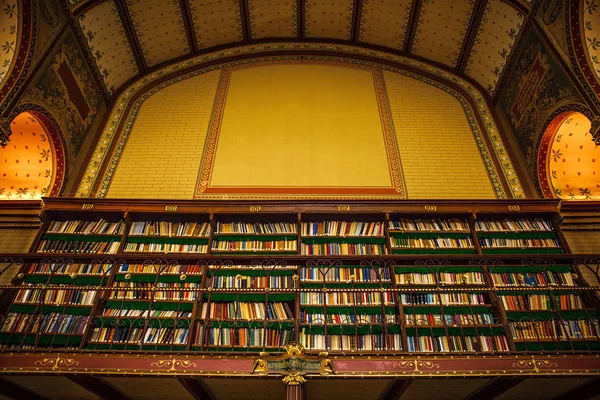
377, 342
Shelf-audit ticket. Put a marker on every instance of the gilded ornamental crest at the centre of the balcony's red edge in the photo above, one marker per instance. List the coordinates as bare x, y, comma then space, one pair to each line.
293, 364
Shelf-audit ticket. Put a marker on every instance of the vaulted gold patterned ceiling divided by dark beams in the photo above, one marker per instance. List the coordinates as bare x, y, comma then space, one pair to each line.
473, 38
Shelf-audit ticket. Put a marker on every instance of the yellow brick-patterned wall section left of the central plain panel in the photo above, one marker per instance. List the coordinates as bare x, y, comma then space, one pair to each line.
162, 157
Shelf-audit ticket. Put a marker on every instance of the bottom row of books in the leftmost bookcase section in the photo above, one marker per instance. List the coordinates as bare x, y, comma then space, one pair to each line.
45, 323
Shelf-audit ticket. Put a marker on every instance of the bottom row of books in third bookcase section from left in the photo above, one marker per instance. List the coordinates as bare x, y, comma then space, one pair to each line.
244, 337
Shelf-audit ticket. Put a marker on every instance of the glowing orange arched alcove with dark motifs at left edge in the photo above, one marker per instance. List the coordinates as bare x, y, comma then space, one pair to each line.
32, 164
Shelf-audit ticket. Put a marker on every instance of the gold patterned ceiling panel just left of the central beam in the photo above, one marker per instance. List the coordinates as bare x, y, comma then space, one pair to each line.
273, 18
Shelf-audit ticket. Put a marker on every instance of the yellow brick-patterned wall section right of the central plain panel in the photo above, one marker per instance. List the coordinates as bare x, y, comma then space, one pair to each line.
440, 158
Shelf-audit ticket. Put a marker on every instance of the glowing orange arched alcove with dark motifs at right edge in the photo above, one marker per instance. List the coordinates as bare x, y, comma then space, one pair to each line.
568, 159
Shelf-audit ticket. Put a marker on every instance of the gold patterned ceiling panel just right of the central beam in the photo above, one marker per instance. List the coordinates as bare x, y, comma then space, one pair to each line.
331, 19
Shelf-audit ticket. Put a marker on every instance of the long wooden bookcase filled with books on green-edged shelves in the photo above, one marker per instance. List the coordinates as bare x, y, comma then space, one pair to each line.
359, 278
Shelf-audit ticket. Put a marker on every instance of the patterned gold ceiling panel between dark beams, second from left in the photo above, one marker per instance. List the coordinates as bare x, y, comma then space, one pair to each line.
159, 28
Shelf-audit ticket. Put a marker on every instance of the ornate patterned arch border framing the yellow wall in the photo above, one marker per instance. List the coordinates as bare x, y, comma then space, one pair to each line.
473, 100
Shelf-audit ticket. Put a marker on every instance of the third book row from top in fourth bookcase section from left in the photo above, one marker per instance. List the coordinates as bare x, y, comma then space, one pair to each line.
363, 274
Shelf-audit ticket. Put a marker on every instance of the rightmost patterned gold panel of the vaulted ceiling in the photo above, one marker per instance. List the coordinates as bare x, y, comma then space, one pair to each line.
494, 41
